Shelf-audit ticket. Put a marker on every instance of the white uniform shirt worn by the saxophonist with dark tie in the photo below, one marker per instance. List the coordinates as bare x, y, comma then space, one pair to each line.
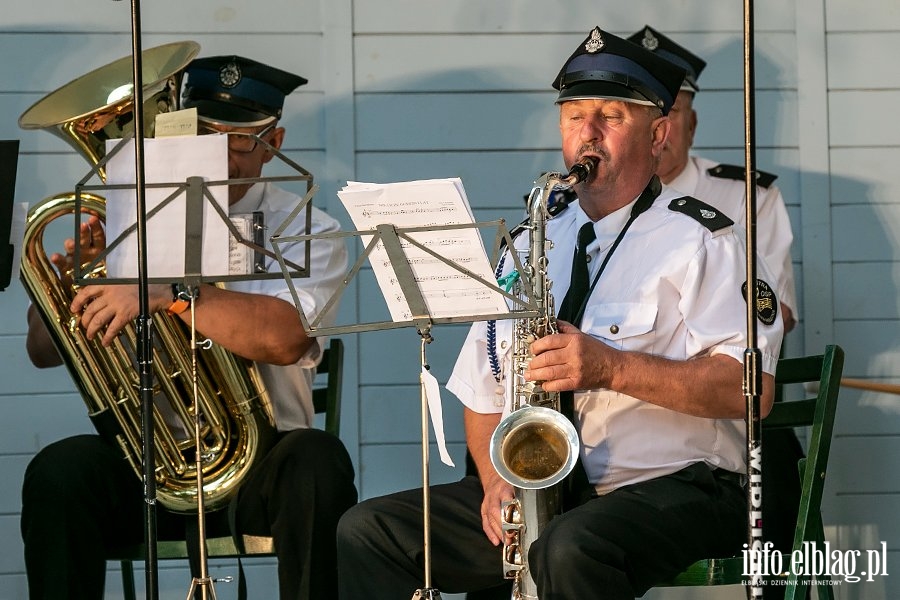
671, 289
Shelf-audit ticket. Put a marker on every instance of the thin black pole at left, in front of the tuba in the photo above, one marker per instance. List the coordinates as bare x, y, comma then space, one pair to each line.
144, 320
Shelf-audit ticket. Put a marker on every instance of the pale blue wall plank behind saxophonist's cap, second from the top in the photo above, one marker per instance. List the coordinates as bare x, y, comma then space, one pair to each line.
419, 62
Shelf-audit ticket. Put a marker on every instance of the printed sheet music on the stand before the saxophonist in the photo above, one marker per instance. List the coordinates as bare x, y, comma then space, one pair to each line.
447, 291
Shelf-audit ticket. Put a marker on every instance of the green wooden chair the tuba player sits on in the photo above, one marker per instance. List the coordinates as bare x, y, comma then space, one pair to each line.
327, 401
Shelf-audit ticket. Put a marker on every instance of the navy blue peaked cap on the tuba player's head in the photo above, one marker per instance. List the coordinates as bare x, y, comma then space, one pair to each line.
237, 91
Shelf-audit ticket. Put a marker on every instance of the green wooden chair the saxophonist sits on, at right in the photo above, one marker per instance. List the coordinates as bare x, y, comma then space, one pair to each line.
817, 413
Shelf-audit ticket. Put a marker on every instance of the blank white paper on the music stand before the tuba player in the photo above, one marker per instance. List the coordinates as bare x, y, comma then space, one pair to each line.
167, 160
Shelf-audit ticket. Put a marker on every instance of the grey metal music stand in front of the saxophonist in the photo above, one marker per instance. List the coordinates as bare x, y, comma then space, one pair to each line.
419, 316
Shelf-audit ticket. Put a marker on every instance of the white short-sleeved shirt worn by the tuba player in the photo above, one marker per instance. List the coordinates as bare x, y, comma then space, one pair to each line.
290, 387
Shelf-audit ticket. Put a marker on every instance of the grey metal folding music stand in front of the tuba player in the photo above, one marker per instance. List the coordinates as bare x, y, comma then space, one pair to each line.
196, 193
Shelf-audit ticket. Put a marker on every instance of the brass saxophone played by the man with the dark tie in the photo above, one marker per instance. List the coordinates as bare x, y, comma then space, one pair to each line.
534, 447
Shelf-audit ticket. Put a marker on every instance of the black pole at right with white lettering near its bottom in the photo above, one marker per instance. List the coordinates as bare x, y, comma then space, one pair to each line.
752, 355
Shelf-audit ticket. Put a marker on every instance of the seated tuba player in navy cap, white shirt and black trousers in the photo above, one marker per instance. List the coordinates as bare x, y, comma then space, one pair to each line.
80, 498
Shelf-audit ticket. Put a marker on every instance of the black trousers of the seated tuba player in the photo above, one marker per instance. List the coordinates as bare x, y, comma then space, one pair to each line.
80, 499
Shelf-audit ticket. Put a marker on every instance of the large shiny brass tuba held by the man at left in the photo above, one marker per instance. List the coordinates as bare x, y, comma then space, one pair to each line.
234, 409
